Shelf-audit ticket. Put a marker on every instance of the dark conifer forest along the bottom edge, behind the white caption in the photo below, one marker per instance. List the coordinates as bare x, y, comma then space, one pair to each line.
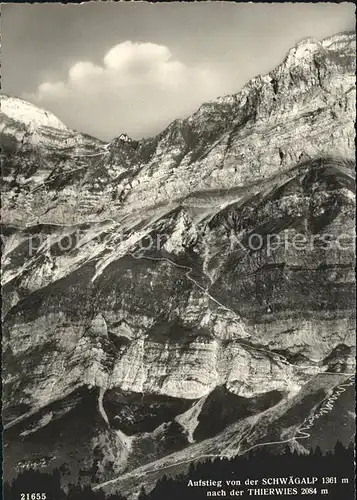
255, 465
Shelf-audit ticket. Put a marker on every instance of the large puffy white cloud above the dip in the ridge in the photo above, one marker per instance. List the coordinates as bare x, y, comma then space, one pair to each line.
138, 88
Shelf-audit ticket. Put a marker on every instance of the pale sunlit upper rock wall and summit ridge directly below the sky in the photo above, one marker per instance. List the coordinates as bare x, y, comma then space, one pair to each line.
266, 128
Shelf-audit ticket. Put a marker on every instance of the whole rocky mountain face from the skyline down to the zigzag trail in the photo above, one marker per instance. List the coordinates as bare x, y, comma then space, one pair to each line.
185, 295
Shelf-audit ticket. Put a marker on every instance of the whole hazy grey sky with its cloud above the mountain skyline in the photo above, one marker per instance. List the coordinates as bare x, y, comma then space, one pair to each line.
111, 68
